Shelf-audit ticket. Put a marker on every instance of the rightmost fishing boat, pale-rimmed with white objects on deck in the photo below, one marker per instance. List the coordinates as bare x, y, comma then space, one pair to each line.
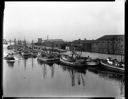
112, 65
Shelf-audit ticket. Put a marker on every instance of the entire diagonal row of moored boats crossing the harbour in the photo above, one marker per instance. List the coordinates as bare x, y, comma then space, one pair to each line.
69, 60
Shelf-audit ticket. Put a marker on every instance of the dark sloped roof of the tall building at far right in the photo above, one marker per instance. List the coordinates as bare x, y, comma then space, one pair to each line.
110, 37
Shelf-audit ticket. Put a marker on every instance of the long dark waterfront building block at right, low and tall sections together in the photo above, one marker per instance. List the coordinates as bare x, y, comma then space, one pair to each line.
107, 44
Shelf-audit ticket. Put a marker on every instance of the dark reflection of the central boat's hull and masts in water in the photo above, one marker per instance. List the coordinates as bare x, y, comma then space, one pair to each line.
77, 75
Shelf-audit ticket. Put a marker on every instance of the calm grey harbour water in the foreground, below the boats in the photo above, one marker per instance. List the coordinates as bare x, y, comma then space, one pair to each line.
30, 78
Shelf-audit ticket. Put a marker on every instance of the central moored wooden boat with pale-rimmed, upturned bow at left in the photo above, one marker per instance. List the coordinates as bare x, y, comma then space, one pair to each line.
69, 61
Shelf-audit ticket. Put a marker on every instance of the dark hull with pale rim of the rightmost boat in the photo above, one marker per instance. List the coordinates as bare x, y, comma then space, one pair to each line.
110, 67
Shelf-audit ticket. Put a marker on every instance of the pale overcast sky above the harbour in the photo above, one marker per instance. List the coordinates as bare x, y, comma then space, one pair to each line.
62, 20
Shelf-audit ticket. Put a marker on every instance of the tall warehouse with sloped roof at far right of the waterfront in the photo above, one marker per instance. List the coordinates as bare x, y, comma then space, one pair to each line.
109, 44
